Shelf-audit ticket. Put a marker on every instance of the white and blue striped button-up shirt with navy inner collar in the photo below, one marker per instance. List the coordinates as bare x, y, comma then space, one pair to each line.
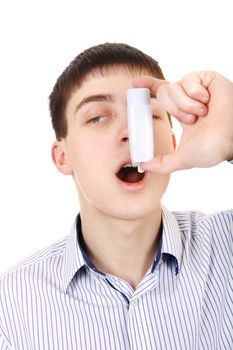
57, 300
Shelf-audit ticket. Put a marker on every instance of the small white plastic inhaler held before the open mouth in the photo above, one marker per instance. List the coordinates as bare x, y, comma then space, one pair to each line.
140, 126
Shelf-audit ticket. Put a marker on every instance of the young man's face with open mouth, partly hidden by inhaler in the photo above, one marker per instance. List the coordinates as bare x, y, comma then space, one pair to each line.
96, 148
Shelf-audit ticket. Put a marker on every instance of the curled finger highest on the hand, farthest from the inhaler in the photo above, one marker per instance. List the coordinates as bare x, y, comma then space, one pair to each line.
194, 87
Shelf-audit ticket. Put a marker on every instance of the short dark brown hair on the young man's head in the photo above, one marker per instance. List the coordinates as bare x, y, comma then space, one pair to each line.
93, 59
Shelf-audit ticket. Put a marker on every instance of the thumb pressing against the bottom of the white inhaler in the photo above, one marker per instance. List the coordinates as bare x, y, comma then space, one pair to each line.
165, 164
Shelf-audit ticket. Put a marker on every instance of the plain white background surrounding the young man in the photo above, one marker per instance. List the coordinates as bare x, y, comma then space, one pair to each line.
38, 39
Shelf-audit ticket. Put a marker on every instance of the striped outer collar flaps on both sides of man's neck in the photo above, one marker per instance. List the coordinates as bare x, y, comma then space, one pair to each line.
74, 259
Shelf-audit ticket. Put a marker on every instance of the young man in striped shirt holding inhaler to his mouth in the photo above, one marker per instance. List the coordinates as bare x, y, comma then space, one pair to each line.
131, 275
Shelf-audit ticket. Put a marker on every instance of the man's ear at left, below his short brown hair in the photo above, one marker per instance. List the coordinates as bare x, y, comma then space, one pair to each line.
59, 158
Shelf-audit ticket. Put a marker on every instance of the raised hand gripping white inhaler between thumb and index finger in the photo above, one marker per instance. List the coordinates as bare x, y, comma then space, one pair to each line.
203, 103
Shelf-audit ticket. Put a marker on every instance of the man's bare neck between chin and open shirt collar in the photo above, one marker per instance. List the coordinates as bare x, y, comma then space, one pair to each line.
121, 247
